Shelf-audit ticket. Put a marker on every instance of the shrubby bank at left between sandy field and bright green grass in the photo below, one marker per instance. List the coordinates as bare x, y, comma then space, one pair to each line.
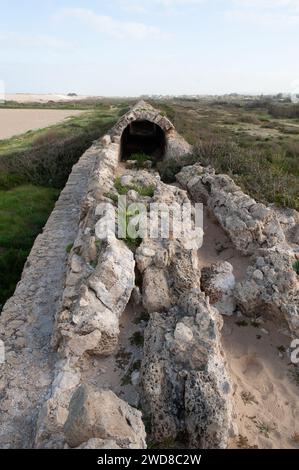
45, 157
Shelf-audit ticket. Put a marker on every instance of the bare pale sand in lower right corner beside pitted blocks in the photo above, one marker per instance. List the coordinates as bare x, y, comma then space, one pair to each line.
266, 405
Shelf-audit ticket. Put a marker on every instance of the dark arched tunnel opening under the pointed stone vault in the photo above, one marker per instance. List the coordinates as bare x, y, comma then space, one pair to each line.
143, 137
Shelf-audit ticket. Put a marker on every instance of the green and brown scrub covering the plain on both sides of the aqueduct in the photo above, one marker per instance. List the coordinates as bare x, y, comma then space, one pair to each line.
255, 141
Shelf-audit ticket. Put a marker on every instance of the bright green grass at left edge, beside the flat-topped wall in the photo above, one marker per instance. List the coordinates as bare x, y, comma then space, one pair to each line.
23, 212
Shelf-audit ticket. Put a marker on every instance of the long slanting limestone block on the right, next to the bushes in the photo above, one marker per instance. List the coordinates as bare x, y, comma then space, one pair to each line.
250, 225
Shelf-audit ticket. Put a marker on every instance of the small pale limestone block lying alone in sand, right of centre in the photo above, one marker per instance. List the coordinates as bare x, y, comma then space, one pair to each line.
218, 282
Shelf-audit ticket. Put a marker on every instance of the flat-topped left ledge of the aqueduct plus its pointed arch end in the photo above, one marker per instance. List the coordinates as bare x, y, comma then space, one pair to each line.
27, 319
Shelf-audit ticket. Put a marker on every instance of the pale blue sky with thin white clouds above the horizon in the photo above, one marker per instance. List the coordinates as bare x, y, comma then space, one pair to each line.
133, 47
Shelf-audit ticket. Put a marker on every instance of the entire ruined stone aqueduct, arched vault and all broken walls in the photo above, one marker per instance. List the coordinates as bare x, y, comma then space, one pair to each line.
66, 310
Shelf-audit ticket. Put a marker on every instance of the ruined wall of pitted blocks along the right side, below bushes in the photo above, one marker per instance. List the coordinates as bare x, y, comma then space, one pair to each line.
270, 236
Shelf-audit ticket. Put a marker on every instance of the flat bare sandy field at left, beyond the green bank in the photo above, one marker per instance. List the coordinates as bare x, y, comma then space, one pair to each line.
17, 121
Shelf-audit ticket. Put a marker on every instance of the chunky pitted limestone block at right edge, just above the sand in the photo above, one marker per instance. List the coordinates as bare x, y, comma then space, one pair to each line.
271, 287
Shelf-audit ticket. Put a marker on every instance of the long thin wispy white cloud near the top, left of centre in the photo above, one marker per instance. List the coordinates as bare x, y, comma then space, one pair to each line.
110, 26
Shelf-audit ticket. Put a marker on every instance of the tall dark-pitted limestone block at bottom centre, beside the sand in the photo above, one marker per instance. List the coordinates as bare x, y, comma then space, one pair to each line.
185, 384
